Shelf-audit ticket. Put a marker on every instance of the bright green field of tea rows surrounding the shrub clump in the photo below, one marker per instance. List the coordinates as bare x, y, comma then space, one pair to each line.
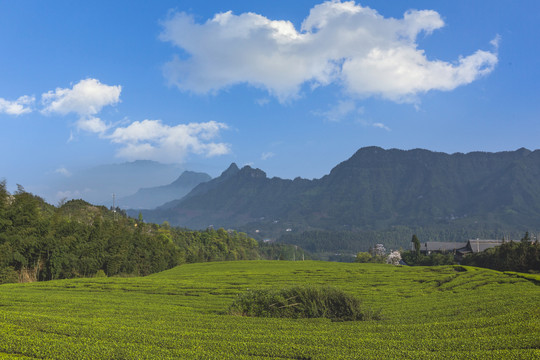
428, 313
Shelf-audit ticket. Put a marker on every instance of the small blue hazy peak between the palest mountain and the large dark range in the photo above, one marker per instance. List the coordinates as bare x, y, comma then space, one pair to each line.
149, 198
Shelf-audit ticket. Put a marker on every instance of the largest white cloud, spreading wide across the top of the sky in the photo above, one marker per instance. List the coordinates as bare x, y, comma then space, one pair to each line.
339, 42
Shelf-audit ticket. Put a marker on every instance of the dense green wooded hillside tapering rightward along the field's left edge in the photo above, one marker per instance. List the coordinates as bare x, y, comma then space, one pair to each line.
39, 241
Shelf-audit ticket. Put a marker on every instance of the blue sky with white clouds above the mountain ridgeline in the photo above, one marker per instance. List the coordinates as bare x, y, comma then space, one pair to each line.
293, 88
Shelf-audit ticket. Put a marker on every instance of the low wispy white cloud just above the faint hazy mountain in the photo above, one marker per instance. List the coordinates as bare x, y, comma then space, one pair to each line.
153, 140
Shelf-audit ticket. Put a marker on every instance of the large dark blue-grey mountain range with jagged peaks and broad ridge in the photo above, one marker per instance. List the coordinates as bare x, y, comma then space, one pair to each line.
375, 189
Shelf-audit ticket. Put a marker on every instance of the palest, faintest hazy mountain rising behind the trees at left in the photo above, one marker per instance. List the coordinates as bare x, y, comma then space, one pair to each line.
97, 185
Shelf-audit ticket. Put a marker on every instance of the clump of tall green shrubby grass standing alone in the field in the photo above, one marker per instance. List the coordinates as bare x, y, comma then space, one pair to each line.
301, 302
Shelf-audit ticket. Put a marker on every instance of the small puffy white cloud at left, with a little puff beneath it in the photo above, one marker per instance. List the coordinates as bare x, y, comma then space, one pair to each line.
86, 99
